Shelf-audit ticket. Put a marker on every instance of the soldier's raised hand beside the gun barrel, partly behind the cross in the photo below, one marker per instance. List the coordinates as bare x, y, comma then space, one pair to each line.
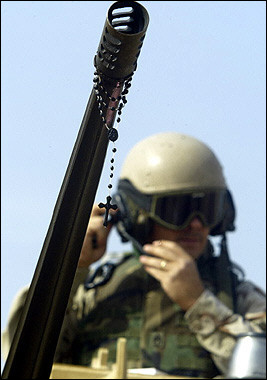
95, 241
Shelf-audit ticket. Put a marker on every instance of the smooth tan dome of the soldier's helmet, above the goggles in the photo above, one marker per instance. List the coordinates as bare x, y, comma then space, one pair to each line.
172, 162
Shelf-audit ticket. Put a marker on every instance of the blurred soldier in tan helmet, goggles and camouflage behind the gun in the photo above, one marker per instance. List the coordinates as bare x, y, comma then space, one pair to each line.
179, 305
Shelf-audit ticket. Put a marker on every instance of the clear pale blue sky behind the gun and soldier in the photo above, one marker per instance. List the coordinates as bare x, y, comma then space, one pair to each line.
201, 72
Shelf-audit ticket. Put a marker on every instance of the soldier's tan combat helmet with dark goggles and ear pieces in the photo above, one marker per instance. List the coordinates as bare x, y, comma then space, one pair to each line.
168, 178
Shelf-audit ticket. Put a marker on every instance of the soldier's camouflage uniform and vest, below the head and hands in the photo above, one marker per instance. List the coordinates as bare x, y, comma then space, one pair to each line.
159, 334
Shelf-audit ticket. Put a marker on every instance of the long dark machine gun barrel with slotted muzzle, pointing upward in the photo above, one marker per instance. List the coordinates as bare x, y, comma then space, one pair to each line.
34, 344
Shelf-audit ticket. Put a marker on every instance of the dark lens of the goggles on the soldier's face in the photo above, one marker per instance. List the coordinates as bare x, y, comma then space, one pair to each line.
176, 210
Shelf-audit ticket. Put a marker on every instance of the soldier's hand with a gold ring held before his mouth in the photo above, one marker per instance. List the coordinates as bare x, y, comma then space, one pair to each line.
175, 269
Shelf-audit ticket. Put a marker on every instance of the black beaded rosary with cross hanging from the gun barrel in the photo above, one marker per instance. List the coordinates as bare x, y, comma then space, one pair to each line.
116, 101
